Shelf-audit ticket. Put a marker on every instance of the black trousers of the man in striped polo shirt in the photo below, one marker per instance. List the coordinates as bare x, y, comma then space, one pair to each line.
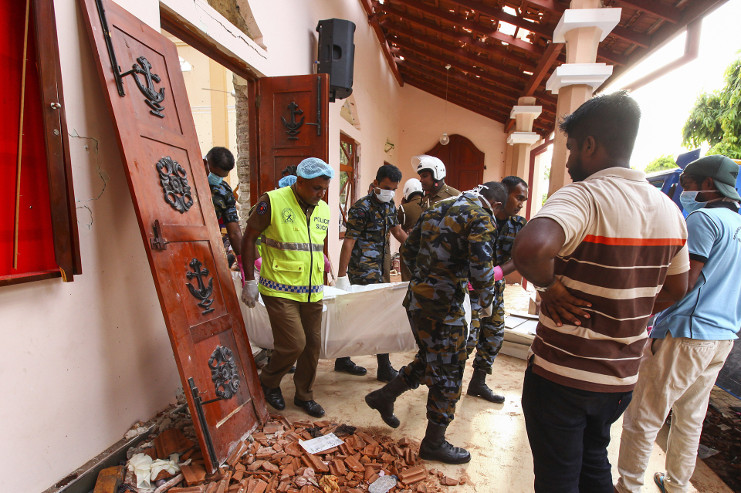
569, 430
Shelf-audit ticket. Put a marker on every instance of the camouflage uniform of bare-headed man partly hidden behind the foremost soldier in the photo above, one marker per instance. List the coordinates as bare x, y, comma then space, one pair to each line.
487, 333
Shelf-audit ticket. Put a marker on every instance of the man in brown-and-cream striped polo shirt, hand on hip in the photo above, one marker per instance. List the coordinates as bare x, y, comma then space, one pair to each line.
600, 252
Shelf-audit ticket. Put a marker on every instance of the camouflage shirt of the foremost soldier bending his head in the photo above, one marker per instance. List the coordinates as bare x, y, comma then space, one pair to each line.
450, 246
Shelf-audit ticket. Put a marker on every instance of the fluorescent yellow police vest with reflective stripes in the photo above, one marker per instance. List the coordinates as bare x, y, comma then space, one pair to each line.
291, 248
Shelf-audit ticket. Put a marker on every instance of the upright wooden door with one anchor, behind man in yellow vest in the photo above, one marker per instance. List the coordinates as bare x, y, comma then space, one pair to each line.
292, 124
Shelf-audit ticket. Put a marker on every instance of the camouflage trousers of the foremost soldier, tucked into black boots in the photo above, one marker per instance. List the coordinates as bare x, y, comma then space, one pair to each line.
438, 364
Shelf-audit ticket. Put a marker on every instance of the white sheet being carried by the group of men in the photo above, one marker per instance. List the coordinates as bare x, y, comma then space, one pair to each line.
370, 320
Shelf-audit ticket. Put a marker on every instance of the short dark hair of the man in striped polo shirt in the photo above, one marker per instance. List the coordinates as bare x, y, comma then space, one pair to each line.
612, 120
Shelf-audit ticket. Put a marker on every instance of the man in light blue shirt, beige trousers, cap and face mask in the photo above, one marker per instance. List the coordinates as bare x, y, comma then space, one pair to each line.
691, 339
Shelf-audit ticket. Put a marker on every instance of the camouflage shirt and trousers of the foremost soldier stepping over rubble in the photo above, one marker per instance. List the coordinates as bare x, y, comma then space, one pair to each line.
450, 245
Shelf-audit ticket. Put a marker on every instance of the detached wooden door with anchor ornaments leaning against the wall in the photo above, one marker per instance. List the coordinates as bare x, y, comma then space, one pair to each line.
173, 205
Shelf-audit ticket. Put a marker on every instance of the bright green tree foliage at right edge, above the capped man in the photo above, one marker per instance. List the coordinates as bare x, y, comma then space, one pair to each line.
716, 117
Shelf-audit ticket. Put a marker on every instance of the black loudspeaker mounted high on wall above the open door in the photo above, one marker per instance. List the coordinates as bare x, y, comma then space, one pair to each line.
336, 55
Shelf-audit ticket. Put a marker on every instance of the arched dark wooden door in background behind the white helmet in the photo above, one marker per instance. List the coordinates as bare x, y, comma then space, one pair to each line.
464, 162
